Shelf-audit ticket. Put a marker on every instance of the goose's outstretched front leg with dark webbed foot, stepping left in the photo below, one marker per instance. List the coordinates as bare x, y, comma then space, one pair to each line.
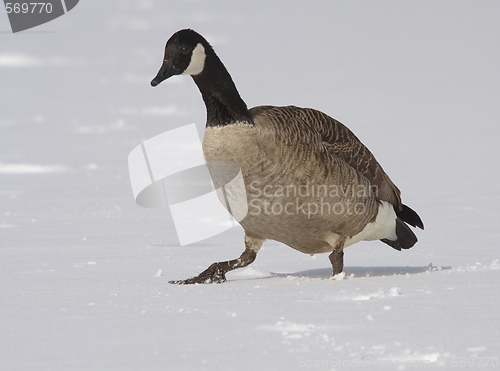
216, 273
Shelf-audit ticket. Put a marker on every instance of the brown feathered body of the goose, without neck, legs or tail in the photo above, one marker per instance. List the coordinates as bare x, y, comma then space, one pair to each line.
308, 179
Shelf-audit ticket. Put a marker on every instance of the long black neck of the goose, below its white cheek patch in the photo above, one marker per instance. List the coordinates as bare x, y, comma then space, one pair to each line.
222, 100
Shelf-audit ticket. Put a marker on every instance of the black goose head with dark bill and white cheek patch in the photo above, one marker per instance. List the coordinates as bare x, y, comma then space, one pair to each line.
185, 54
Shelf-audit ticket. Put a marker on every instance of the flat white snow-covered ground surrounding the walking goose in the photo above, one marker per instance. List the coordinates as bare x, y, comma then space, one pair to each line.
84, 271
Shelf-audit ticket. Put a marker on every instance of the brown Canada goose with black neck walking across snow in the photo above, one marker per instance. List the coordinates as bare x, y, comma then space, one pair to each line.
291, 159
